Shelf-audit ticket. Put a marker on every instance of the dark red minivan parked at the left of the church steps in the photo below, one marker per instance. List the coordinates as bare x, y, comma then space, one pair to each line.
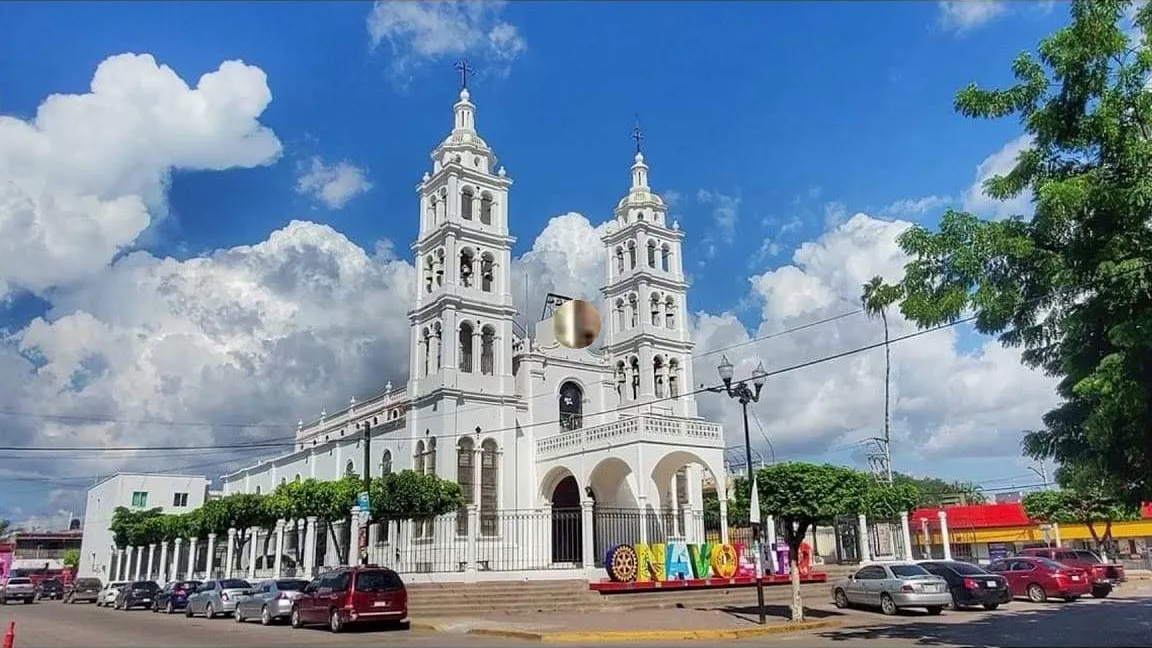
352, 596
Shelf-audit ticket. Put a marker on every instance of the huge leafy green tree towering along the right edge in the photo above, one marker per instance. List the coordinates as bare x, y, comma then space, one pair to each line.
1071, 285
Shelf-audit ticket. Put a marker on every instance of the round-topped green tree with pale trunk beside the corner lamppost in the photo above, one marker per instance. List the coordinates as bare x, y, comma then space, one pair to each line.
804, 495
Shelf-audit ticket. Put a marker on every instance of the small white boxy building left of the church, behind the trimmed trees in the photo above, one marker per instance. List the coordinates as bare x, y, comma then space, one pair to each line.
105, 498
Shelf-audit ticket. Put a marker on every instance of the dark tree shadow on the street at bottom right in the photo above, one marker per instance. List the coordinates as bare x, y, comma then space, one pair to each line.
1112, 623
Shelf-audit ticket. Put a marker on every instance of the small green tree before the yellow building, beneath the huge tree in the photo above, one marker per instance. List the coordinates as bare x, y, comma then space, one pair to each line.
1085, 499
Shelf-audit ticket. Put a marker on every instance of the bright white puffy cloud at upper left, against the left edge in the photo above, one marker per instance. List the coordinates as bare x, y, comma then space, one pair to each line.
86, 177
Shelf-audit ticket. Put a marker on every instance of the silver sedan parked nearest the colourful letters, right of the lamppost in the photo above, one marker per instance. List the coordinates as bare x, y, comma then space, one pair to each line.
891, 587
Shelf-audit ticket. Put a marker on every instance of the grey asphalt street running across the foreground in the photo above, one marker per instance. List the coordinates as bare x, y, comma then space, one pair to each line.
1124, 621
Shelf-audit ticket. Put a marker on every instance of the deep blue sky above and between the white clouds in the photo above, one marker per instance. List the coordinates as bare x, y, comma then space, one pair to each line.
794, 116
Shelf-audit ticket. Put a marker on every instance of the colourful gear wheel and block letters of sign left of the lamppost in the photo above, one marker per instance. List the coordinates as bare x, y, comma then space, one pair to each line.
678, 561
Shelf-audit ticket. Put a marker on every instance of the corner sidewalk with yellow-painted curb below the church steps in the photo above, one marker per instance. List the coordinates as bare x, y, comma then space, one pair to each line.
655, 626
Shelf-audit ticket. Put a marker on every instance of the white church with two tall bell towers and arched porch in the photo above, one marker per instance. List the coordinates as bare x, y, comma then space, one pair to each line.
544, 440
